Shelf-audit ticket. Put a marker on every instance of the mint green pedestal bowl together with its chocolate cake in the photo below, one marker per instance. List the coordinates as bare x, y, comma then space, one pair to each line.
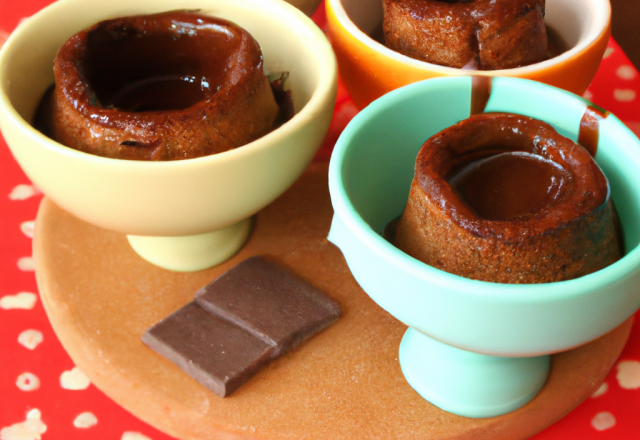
489, 289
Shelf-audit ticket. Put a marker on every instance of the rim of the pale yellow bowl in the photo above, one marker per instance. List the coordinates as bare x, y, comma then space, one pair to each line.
320, 97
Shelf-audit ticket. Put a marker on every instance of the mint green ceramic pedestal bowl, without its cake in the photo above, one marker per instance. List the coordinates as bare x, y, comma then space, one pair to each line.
475, 348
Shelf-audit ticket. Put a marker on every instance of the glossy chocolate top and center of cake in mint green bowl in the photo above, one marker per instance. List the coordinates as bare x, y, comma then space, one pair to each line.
506, 175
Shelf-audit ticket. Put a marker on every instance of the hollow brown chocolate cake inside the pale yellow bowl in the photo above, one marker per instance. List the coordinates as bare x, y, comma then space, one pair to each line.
223, 99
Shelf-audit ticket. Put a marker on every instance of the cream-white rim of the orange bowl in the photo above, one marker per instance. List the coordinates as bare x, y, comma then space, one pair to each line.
602, 25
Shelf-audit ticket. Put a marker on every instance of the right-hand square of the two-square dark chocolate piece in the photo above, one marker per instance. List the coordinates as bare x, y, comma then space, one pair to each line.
269, 302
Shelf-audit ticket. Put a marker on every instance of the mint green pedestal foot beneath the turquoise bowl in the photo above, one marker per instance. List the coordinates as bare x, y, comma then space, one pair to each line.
466, 383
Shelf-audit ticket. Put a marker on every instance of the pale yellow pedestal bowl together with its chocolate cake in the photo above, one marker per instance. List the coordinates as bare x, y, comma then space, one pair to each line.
138, 91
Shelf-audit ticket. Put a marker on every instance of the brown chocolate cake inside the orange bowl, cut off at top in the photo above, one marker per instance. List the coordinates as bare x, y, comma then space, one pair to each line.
473, 34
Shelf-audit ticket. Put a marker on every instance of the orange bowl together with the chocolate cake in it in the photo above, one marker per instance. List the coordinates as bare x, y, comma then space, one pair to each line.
414, 40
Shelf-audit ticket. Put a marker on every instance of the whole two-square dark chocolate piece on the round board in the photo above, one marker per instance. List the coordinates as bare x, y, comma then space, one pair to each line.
248, 316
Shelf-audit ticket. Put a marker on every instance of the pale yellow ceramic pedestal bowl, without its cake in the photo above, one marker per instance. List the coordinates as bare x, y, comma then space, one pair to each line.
178, 214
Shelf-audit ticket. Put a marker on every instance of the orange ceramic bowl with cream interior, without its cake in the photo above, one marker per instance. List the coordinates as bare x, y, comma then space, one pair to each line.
369, 69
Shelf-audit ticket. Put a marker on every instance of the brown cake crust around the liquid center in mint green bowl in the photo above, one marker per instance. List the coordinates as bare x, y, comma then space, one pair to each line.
573, 235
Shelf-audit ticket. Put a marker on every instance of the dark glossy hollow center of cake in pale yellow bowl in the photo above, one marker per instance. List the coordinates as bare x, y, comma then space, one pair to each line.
154, 70
